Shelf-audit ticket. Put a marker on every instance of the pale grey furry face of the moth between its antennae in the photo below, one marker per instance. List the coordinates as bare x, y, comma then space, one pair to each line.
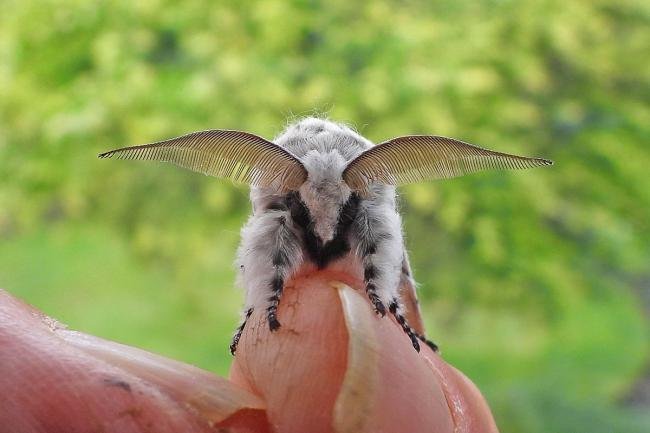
324, 192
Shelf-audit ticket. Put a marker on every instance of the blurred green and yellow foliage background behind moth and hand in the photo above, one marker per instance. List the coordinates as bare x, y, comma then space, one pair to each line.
536, 284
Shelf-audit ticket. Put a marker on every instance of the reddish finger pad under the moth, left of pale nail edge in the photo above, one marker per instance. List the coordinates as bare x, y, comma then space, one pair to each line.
298, 369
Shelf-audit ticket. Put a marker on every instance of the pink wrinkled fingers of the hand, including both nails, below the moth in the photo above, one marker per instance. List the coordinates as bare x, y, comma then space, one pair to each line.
334, 366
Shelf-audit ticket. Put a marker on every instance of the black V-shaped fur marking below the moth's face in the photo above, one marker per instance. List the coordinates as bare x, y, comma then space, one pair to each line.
322, 253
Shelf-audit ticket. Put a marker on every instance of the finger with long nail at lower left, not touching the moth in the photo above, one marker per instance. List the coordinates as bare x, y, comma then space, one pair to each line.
64, 380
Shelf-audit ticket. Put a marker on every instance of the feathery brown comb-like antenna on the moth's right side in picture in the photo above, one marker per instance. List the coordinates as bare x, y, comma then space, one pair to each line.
416, 158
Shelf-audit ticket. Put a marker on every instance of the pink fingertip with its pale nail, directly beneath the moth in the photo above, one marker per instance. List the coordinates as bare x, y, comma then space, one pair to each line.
335, 364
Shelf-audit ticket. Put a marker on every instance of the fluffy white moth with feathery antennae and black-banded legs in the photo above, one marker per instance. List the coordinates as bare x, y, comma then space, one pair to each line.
323, 196
